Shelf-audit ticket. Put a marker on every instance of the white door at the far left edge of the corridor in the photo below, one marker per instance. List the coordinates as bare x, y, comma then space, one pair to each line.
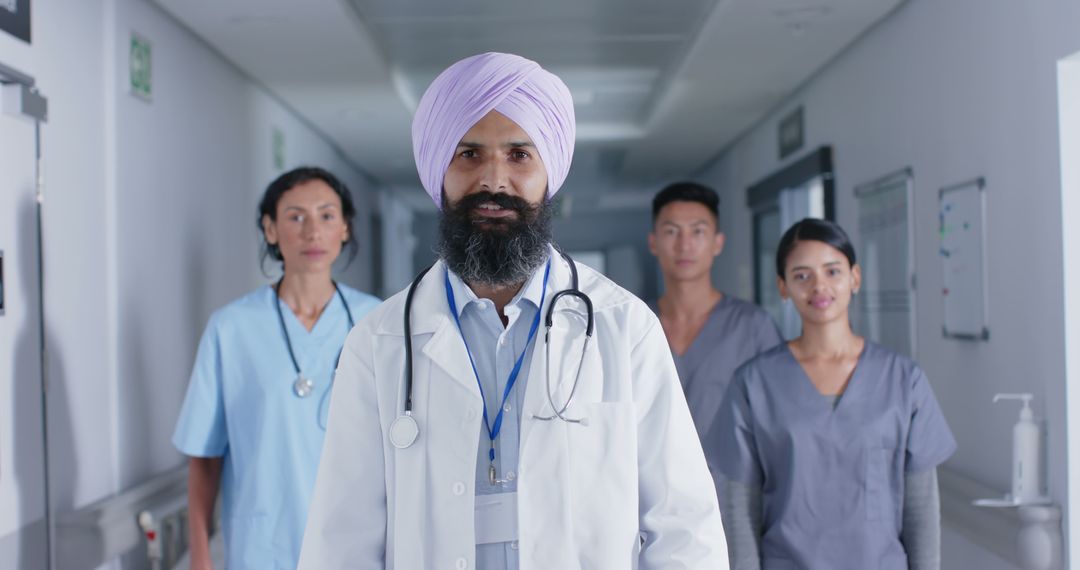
23, 524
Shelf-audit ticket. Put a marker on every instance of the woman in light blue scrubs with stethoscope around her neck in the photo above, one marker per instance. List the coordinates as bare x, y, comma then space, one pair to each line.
255, 414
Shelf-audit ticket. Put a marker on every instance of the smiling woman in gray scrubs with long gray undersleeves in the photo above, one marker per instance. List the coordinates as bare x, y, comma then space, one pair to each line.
830, 442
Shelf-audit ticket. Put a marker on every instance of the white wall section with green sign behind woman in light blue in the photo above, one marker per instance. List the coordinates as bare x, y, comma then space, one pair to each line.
194, 164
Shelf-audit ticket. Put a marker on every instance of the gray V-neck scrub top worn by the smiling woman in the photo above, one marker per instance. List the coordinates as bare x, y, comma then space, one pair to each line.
832, 478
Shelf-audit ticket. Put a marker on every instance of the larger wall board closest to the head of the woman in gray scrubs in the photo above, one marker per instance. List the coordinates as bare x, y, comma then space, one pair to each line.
885, 308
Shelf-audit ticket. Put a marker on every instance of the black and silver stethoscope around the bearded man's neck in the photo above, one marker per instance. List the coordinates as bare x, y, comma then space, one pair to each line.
404, 430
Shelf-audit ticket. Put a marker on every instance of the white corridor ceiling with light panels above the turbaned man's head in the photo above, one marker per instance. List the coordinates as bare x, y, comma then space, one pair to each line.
660, 88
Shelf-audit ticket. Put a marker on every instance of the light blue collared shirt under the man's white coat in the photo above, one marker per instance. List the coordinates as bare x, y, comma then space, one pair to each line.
495, 349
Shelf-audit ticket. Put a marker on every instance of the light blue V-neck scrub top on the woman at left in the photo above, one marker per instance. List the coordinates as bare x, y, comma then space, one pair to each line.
241, 406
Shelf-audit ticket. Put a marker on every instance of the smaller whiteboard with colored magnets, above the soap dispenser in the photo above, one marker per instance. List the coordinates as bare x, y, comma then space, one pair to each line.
963, 232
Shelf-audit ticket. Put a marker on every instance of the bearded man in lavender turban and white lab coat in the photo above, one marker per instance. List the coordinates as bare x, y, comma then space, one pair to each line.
461, 435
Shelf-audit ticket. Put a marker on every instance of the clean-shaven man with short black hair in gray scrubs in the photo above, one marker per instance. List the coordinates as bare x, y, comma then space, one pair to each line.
710, 333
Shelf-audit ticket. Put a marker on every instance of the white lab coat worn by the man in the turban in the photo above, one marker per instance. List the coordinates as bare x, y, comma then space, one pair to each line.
586, 493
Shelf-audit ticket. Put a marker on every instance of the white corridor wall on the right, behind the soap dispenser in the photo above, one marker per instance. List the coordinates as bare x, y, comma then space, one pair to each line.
955, 90
